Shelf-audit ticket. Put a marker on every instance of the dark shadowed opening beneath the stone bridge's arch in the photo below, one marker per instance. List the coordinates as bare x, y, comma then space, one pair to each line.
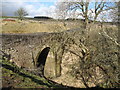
41, 60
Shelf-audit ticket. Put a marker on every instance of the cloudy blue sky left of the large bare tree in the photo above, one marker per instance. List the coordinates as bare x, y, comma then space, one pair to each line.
33, 7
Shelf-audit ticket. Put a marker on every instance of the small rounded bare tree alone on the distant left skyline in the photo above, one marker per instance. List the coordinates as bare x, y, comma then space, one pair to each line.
21, 12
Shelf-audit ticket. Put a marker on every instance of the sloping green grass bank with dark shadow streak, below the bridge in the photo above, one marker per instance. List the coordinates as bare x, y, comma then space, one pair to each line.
12, 76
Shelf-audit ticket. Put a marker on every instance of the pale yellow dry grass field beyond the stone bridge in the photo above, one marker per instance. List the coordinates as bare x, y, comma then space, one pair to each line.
29, 26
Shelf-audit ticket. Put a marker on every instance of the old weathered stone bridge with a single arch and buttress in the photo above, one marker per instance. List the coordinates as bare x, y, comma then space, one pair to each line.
30, 51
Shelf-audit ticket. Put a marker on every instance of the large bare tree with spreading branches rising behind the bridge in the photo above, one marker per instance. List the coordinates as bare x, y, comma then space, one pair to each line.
85, 10
